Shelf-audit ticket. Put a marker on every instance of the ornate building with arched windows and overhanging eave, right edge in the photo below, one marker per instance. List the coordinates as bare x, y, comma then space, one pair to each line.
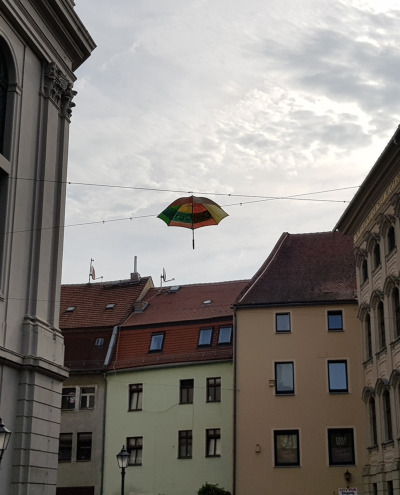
373, 219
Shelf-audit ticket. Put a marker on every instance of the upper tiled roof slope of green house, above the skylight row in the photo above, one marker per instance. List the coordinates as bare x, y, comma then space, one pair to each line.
188, 303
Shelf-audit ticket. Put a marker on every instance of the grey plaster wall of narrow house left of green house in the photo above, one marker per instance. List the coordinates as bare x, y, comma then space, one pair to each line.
88, 473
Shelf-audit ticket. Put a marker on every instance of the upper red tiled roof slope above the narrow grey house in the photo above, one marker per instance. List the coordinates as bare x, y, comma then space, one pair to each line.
90, 302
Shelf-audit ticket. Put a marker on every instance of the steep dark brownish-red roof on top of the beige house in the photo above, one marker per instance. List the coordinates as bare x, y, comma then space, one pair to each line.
305, 268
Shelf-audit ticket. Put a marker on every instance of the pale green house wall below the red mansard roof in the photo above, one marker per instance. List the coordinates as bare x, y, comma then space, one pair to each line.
159, 421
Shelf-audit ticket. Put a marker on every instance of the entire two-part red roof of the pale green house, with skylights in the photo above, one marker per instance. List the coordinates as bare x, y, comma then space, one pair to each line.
180, 314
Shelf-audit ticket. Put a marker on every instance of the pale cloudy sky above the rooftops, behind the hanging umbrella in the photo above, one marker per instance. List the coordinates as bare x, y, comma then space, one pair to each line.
275, 109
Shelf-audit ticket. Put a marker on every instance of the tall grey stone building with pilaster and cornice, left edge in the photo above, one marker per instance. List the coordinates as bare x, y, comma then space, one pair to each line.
39, 48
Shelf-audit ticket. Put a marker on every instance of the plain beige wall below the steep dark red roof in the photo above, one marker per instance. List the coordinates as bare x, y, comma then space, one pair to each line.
311, 410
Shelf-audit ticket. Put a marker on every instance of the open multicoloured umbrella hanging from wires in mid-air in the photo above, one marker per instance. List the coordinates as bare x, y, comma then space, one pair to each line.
192, 213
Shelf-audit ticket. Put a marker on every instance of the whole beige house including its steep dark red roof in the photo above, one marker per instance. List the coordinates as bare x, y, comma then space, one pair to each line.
299, 418
